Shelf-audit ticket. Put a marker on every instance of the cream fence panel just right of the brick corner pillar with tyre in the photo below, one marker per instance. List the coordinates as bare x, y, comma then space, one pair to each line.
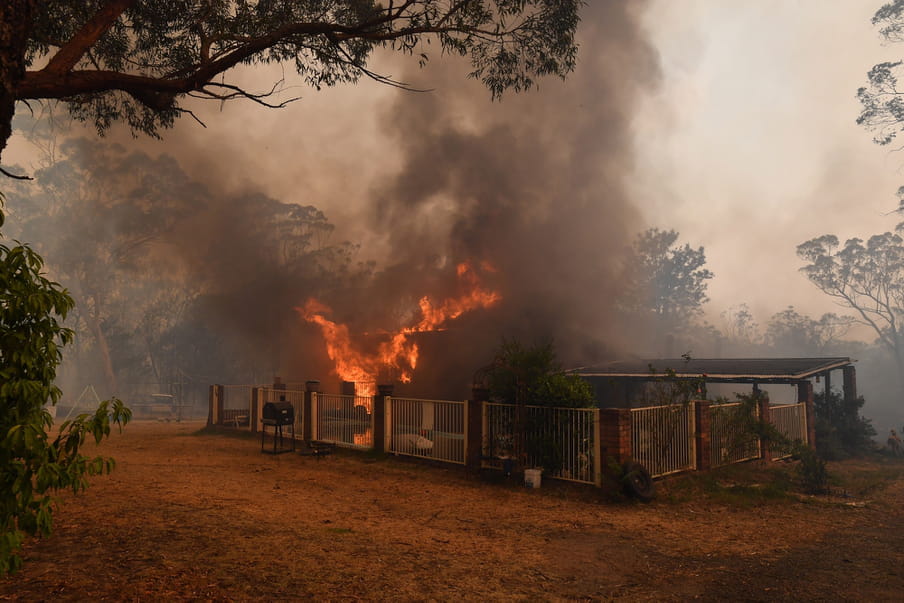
662, 438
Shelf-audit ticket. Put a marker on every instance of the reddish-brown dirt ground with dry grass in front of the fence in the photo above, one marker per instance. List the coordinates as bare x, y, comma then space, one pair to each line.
198, 516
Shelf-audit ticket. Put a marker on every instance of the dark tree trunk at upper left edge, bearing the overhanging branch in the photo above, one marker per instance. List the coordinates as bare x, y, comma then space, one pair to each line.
15, 25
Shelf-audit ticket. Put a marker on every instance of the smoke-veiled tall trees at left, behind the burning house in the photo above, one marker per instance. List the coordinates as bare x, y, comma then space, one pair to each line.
127, 235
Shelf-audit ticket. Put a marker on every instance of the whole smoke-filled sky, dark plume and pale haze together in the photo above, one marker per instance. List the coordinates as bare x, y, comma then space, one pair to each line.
733, 124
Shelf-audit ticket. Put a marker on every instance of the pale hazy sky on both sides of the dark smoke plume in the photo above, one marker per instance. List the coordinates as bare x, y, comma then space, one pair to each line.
747, 145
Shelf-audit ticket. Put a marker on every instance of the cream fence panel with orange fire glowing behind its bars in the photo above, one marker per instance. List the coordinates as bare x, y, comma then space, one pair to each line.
343, 420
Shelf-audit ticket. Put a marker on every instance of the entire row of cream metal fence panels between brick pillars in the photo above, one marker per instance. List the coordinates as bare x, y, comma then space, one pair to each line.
564, 441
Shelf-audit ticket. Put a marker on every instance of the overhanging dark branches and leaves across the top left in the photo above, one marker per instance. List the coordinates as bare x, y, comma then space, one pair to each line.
137, 60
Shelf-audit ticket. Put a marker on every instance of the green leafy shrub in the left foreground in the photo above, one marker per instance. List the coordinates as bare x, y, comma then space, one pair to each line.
32, 464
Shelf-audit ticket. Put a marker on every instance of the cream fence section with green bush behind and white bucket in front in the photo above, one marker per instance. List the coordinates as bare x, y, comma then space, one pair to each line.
561, 440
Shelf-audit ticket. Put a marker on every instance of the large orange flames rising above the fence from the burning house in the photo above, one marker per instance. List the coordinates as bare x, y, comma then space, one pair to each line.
397, 354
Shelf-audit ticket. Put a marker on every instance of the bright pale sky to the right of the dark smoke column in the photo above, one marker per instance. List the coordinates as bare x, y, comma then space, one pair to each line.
750, 145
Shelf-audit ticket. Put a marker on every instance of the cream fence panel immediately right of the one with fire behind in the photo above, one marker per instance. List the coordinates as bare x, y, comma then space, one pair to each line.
433, 429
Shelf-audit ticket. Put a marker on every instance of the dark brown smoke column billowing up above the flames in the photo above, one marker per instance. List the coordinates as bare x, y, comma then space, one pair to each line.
534, 184
